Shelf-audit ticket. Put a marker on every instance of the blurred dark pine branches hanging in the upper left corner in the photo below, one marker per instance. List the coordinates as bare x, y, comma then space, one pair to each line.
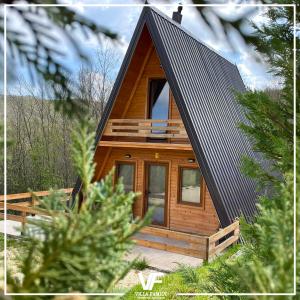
42, 56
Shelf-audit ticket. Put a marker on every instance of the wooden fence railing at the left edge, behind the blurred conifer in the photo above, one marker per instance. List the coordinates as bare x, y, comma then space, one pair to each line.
24, 207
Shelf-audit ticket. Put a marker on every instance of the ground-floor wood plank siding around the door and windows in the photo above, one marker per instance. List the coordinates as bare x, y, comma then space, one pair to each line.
181, 217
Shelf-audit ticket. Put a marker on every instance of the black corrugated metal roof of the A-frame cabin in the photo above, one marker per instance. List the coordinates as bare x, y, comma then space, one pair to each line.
203, 84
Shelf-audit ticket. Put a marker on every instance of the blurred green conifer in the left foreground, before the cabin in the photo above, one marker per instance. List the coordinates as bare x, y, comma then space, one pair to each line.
80, 250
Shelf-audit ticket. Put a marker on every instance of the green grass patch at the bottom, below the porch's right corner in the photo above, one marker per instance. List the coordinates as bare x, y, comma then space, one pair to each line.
185, 279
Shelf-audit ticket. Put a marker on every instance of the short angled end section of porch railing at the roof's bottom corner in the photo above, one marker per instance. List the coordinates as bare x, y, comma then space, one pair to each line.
229, 235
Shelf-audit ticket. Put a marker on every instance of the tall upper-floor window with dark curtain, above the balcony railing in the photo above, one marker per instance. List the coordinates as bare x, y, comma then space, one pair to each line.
159, 99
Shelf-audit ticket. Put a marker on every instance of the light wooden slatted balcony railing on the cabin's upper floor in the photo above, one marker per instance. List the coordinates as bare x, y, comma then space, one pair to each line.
161, 129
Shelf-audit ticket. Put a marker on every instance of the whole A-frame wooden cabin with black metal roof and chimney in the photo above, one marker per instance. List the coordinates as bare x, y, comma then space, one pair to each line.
170, 129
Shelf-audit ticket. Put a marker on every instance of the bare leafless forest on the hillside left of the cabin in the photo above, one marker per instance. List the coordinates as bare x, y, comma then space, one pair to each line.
39, 136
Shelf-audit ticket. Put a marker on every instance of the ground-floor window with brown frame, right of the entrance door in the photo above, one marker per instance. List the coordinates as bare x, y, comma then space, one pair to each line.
190, 186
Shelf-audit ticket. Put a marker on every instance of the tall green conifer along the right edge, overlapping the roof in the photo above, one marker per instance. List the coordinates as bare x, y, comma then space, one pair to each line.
266, 263
